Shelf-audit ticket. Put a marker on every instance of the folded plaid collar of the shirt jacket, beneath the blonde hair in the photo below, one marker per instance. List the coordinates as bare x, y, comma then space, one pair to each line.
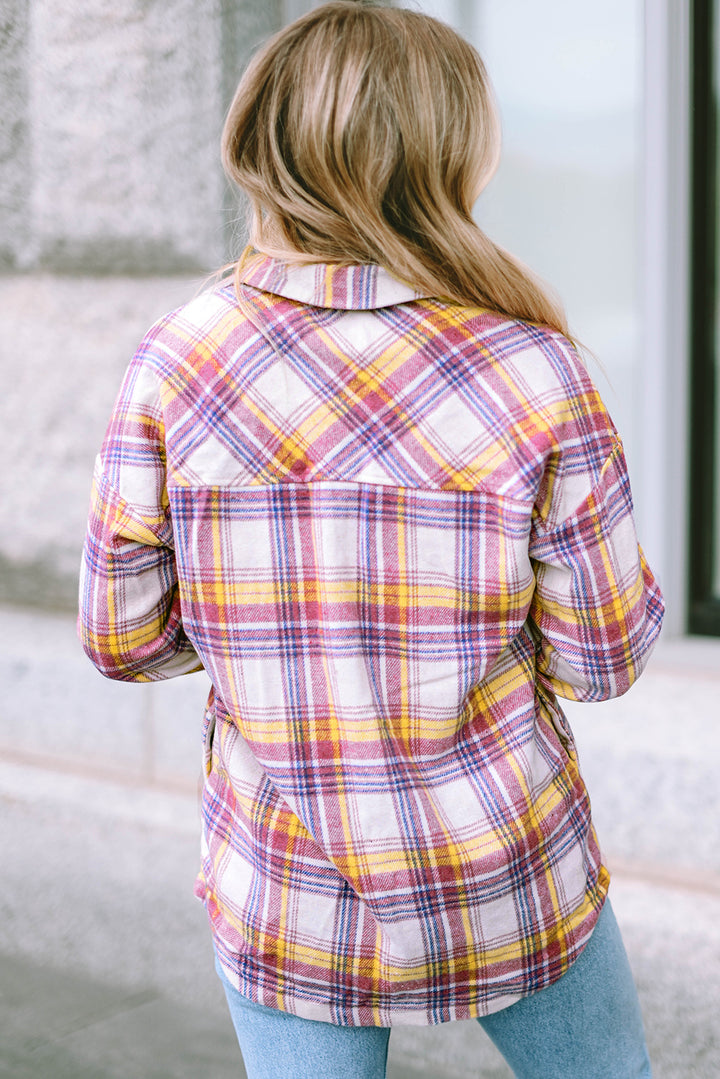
328, 285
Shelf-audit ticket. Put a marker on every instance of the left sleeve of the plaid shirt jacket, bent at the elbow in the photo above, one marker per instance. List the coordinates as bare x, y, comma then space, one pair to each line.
130, 621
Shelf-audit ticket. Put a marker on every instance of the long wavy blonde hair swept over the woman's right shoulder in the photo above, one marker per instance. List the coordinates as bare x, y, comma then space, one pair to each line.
364, 134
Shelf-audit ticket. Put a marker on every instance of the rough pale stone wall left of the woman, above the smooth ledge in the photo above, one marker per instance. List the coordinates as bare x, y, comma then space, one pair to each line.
113, 210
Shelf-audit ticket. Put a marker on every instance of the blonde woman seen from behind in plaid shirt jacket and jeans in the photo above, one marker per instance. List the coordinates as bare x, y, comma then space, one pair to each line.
371, 488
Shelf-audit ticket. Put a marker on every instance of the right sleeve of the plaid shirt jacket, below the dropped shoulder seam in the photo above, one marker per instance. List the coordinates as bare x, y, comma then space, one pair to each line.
597, 609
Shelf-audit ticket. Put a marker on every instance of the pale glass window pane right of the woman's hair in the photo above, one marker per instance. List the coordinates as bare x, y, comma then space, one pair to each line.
568, 78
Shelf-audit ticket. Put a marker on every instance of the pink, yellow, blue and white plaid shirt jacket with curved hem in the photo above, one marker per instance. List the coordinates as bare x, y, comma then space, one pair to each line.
392, 530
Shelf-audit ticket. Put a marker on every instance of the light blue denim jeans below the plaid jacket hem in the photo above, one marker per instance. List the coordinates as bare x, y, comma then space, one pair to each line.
588, 1026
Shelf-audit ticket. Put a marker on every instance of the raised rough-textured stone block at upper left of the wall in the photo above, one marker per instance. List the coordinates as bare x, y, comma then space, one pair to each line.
126, 113
